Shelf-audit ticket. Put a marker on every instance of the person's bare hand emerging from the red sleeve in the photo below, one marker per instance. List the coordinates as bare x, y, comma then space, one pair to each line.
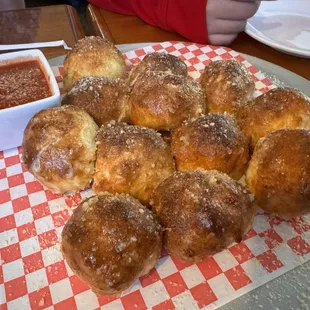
226, 18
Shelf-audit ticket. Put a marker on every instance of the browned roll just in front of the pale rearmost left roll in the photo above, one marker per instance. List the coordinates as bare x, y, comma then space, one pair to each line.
104, 98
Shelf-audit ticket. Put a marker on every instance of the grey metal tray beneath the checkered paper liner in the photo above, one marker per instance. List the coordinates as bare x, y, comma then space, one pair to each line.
289, 291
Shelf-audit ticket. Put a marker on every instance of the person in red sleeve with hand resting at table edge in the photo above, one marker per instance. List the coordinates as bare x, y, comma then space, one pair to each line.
202, 21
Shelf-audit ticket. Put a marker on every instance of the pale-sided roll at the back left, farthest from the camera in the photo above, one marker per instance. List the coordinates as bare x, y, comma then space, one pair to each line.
93, 56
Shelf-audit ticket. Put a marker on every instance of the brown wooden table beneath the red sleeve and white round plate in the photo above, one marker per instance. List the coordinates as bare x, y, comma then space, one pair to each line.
131, 29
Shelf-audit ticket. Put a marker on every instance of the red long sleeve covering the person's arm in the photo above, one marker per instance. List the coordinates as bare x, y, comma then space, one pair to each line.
186, 17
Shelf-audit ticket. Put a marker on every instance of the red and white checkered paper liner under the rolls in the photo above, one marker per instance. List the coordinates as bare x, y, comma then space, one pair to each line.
33, 273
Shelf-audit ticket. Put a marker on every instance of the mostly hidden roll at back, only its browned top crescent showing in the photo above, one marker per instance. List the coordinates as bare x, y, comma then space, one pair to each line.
158, 62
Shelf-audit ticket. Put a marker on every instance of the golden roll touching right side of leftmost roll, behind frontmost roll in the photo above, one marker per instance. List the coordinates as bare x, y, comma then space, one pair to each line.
132, 160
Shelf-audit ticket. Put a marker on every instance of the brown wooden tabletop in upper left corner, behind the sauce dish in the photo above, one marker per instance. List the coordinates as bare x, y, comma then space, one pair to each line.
48, 23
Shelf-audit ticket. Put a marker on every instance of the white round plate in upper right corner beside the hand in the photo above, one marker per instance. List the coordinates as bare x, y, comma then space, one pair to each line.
283, 25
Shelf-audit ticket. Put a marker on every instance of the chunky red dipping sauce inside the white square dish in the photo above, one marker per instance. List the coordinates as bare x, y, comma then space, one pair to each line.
22, 82
